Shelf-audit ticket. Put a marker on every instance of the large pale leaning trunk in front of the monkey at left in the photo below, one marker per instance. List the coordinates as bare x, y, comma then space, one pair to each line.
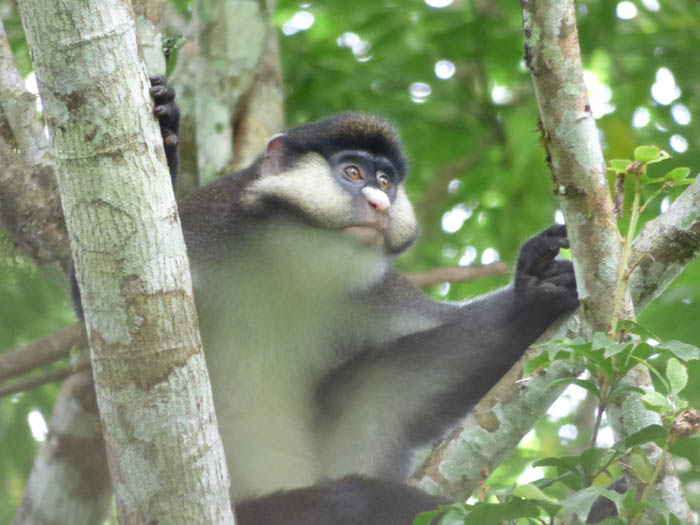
165, 456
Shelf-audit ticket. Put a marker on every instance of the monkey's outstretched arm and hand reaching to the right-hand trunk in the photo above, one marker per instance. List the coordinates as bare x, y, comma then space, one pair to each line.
409, 390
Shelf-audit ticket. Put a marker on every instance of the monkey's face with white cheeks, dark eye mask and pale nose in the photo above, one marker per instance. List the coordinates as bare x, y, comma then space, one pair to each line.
356, 192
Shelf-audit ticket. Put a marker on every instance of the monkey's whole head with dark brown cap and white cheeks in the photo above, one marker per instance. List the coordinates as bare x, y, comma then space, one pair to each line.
345, 173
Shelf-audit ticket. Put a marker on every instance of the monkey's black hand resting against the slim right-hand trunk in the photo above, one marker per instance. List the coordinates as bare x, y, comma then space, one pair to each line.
540, 279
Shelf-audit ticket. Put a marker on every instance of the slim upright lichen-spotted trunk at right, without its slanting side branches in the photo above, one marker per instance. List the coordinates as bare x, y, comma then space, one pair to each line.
553, 56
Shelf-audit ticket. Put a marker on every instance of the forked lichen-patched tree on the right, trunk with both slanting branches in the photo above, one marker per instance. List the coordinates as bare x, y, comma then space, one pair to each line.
512, 407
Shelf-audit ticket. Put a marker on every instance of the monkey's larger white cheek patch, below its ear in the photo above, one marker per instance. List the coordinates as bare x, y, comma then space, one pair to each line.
309, 187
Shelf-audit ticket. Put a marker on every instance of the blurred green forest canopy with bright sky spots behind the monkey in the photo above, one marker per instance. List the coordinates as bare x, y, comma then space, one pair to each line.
452, 76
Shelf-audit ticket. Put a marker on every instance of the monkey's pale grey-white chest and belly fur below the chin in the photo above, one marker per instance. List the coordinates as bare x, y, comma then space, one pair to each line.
275, 316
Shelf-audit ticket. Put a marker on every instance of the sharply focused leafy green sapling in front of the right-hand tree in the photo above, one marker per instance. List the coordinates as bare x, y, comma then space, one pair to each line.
608, 359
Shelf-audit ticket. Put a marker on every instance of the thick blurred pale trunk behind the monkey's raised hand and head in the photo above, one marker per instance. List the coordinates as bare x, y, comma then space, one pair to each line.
230, 105
